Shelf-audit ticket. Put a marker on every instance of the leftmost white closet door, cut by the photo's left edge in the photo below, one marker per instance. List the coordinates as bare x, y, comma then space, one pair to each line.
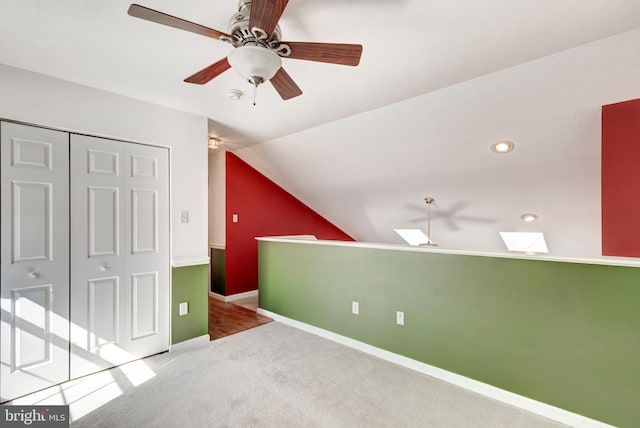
34, 332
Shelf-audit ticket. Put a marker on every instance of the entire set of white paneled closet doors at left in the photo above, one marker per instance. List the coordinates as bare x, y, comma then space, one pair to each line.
85, 255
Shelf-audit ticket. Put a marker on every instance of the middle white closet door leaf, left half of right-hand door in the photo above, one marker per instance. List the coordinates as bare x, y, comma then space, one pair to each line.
97, 254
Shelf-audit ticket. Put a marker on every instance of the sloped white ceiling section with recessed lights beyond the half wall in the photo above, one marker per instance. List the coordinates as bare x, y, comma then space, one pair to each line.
370, 172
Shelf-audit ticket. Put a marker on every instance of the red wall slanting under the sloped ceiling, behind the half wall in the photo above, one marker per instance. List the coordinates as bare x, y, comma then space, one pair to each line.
264, 209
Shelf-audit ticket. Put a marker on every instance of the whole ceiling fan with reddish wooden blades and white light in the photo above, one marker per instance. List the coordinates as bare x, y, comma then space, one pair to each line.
255, 35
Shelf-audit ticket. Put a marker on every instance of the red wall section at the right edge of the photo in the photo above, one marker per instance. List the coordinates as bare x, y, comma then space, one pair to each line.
621, 179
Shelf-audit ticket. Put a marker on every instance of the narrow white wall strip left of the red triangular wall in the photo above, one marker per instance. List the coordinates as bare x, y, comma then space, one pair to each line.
217, 195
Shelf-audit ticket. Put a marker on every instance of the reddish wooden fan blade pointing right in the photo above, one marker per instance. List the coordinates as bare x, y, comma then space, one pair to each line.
334, 53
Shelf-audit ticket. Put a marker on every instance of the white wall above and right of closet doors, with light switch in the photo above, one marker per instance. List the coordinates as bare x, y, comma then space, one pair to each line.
42, 100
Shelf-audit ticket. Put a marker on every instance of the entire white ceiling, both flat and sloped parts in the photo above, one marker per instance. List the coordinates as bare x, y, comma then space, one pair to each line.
438, 83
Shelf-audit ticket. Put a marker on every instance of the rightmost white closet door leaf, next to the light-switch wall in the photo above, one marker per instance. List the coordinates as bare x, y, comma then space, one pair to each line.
147, 246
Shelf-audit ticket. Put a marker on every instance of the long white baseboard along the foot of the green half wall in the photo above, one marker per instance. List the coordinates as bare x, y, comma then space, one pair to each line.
533, 406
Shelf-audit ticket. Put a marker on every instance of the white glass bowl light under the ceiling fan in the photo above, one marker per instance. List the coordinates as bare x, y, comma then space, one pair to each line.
255, 64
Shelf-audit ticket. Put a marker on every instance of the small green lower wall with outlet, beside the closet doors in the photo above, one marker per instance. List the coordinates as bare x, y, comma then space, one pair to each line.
189, 284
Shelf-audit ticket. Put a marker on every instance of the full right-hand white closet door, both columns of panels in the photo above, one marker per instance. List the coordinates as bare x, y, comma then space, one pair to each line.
119, 253
